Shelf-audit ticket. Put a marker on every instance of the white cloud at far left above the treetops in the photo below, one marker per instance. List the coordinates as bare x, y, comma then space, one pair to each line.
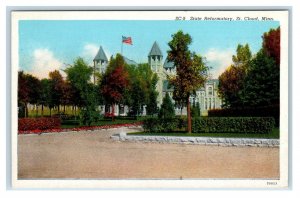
44, 62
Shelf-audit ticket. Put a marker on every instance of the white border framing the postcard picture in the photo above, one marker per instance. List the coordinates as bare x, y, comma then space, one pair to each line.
281, 16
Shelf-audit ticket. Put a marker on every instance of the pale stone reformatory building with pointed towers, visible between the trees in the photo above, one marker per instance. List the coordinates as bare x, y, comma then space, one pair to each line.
207, 96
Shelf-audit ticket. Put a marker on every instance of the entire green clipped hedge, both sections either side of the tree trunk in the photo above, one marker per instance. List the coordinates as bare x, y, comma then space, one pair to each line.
261, 125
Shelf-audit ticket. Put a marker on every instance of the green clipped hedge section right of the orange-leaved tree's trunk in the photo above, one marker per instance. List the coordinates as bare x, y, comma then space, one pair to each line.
261, 125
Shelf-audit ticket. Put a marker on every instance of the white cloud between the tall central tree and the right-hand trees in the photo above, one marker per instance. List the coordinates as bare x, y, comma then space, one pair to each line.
219, 60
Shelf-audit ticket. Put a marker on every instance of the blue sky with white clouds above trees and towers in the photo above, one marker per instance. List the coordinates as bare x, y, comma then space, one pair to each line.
45, 45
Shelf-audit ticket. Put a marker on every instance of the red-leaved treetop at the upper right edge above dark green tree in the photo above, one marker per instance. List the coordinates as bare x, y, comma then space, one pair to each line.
271, 44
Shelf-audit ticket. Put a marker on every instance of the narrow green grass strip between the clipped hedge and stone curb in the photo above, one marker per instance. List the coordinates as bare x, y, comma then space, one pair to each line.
273, 135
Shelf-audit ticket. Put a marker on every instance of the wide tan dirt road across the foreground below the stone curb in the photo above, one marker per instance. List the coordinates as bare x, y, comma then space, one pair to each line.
95, 155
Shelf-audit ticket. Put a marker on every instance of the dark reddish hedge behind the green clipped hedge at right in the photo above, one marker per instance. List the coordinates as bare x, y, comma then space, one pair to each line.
264, 111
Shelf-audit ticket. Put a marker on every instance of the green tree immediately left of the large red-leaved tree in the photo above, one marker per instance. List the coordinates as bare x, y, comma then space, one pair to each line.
79, 76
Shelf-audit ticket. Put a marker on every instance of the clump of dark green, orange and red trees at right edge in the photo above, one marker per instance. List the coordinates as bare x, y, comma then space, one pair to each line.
253, 81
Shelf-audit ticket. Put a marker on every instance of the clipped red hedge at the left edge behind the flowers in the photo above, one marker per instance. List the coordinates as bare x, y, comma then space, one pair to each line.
25, 124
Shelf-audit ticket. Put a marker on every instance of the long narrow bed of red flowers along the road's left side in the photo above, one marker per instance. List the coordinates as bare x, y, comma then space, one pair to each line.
85, 128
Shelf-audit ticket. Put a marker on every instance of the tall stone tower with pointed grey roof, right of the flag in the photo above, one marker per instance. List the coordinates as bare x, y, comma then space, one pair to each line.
155, 60
